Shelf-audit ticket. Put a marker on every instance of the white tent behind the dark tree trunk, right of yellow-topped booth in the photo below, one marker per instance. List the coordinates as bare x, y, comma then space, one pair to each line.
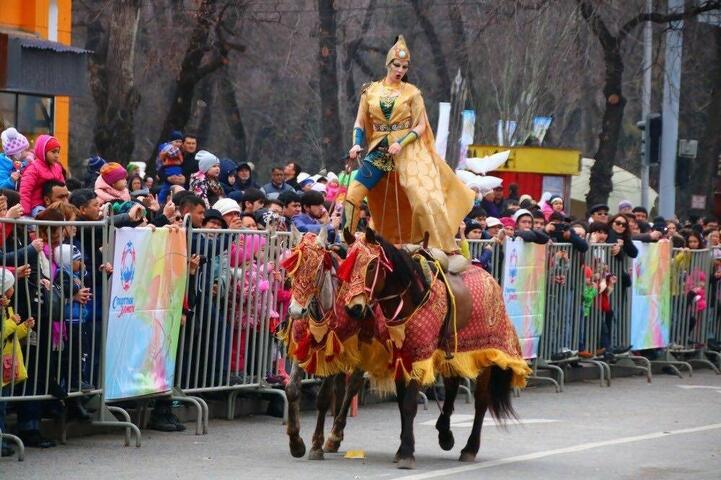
626, 186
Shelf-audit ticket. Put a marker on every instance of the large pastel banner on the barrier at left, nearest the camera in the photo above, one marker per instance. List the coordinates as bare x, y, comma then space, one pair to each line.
146, 301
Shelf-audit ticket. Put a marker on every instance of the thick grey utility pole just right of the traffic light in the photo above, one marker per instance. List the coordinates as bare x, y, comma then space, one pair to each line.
671, 94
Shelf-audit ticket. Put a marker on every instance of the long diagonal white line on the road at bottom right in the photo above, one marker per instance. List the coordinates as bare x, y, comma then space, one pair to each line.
557, 451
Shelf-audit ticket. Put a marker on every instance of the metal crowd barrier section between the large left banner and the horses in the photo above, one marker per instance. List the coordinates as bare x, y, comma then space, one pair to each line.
228, 343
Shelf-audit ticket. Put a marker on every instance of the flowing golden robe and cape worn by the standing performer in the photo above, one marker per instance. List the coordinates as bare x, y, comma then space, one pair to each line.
422, 194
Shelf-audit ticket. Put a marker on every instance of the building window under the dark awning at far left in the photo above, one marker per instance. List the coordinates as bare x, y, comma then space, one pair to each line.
32, 115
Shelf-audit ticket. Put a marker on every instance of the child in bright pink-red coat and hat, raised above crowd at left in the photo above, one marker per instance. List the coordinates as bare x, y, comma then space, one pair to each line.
45, 167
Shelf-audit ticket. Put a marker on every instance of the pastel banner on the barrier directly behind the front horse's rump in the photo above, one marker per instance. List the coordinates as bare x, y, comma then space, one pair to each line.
524, 291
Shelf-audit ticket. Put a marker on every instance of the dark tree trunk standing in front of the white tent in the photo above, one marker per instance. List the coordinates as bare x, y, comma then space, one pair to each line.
601, 172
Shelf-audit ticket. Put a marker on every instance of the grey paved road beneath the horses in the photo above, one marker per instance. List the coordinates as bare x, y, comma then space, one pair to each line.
666, 430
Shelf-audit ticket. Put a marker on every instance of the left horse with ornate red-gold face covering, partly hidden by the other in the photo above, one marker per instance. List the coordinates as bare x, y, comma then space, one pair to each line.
311, 266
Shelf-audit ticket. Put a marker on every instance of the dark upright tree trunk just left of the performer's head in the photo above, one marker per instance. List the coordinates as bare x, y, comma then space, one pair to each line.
331, 141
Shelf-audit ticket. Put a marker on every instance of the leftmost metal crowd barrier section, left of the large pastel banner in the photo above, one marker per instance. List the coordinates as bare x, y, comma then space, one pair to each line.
62, 353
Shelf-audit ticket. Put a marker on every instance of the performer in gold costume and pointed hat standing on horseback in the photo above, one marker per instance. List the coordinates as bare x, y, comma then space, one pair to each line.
410, 189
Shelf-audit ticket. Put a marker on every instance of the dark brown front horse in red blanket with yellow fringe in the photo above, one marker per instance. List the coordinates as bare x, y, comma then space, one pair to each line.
476, 341
